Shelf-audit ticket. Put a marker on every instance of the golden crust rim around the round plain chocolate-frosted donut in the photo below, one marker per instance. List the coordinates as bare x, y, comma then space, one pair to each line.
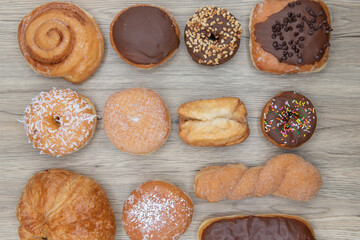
143, 66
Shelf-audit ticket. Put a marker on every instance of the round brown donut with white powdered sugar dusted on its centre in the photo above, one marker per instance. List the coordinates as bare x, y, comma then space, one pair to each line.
157, 210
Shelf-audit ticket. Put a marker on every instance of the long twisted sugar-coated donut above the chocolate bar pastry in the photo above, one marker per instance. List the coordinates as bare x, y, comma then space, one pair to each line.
286, 175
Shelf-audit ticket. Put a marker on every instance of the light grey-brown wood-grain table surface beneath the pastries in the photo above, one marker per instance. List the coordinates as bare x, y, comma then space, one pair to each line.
334, 148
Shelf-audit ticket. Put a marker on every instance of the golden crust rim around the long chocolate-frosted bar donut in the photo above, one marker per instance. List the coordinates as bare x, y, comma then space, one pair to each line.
209, 221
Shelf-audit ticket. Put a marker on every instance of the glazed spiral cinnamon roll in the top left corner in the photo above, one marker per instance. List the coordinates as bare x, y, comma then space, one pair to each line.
61, 40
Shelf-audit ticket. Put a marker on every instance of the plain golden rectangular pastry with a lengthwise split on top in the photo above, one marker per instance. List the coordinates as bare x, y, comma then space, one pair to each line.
213, 122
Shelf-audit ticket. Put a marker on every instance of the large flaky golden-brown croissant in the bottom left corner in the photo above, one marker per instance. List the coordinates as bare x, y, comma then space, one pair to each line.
60, 204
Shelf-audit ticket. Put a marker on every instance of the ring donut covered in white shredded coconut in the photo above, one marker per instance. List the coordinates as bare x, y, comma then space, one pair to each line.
60, 122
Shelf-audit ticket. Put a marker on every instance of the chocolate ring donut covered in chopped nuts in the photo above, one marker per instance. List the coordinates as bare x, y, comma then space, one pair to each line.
212, 36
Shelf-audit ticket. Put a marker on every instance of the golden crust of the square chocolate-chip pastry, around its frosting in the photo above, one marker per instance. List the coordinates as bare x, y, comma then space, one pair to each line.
267, 62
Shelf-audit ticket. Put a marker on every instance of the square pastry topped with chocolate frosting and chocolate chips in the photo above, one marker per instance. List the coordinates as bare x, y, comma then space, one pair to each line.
290, 36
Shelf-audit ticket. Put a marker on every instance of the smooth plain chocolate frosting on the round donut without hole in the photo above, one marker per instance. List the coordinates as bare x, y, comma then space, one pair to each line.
145, 34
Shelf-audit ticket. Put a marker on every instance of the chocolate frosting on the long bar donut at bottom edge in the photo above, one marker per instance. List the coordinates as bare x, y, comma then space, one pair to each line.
257, 228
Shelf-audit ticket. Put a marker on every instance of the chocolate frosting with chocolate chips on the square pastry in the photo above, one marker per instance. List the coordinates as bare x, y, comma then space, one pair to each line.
297, 35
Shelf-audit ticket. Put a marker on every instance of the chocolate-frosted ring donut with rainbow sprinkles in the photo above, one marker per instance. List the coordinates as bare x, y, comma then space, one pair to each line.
288, 120
